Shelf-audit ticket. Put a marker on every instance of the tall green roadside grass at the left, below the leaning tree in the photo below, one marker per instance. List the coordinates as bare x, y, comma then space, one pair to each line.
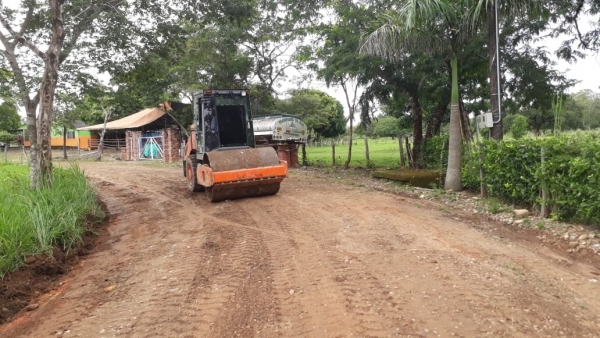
35, 221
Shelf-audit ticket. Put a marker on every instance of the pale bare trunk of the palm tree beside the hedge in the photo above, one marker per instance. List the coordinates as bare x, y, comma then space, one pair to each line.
453, 179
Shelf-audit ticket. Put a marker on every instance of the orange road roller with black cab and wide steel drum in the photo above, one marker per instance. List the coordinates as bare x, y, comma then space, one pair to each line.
220, 154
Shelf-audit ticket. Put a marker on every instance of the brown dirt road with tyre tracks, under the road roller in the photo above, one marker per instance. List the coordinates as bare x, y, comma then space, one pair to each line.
319, 259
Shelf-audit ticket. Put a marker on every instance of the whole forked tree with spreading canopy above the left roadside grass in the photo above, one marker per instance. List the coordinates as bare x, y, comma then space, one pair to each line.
38, 39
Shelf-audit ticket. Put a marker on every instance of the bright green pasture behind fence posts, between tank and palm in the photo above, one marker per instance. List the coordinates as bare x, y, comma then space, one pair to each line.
384, 152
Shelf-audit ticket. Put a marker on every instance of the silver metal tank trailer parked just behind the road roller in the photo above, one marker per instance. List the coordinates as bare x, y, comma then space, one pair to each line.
283, 132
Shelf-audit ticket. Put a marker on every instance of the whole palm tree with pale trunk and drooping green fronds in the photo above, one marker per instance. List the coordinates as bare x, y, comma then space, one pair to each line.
430, 26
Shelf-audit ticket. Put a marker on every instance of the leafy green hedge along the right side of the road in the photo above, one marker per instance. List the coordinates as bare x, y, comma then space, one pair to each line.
514, 172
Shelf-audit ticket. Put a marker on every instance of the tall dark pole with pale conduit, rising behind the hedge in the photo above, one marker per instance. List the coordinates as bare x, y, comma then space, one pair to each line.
496, 131
